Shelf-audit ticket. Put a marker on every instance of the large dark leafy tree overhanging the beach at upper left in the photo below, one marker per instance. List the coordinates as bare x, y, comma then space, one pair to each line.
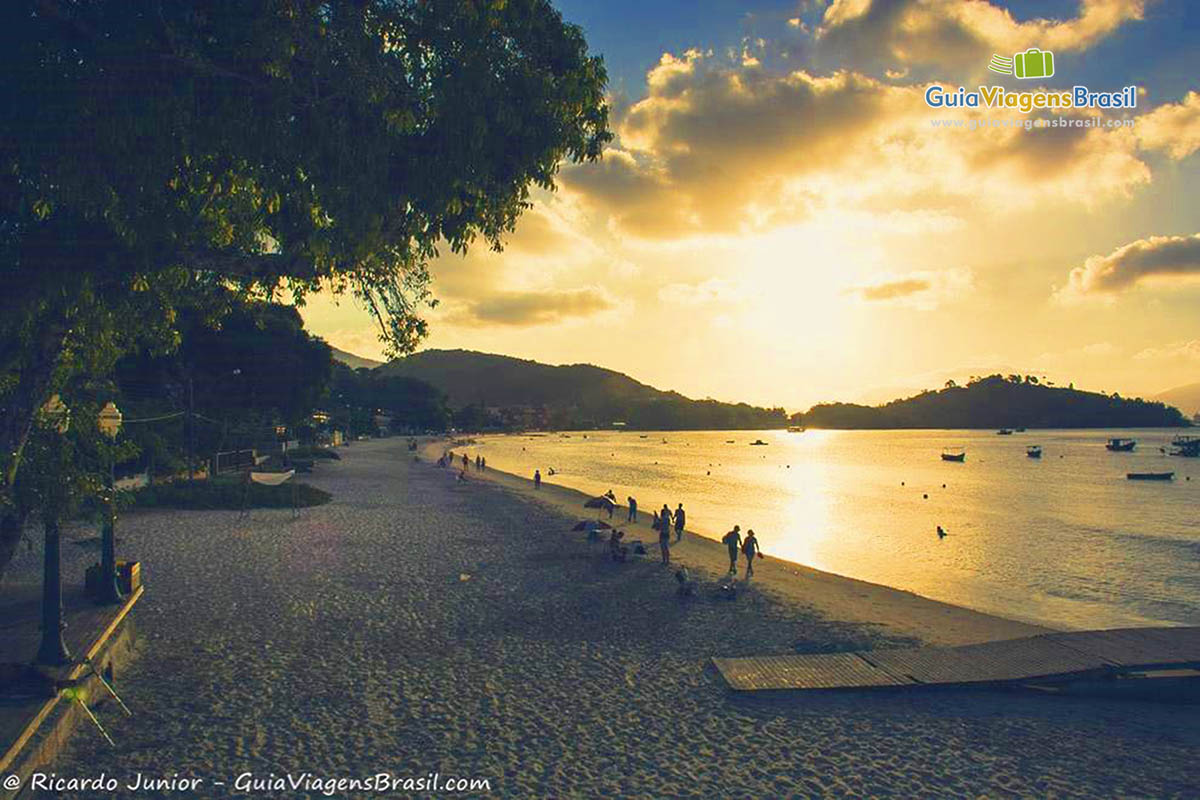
153, 151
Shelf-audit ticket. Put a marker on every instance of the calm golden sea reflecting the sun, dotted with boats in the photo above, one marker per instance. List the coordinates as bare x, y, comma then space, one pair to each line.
1065, 540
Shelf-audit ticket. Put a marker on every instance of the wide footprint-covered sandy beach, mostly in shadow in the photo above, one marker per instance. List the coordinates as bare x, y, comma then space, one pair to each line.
419, 625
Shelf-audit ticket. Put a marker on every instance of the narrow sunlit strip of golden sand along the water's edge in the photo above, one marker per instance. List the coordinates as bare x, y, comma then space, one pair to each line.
833, 597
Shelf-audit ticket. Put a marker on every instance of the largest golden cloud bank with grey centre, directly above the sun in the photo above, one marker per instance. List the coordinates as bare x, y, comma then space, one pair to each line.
722, 148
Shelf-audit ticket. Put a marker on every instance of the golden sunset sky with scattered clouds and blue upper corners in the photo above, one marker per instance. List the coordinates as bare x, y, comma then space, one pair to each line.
778, 220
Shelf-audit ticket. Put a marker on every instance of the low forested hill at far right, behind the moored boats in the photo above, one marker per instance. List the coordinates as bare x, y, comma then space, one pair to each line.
999, 402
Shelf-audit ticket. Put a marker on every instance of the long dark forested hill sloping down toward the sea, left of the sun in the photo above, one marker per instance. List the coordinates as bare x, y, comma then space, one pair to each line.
577, 396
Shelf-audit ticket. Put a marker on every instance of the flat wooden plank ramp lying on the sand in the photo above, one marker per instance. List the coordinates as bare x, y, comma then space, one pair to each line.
1047, 658
